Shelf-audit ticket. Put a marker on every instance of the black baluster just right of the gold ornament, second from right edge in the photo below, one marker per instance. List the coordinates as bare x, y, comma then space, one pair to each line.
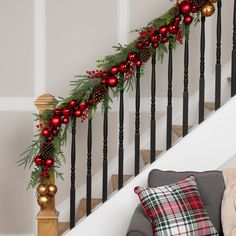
218, 58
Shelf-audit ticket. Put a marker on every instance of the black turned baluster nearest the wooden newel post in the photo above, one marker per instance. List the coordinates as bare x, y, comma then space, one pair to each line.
73, 158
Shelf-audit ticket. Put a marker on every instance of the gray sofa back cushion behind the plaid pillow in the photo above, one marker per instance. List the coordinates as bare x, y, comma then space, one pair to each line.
211, 187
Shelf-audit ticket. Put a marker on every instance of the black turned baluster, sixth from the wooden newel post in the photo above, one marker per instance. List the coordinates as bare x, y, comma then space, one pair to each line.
153, 111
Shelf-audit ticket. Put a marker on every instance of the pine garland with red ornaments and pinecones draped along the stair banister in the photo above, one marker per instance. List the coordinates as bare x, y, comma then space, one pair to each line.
45, 153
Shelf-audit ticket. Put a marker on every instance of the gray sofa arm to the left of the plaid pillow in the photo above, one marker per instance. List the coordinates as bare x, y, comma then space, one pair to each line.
140, 224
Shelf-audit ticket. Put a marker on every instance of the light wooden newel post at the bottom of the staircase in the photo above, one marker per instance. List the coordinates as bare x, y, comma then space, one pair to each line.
48, 216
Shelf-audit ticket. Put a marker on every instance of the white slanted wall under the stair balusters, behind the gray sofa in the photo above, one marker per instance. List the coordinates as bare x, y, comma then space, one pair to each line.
205, 148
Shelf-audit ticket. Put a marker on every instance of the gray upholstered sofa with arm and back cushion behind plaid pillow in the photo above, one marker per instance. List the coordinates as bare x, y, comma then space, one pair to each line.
211, 187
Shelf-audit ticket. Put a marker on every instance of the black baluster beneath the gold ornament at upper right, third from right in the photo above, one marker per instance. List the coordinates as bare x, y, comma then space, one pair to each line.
202, 72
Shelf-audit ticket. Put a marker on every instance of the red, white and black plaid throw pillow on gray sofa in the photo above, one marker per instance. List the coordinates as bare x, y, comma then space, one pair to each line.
176, 209
